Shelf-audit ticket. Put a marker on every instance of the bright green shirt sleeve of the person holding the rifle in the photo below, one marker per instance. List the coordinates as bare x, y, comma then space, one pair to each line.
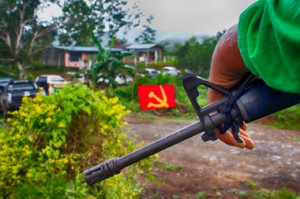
269, 42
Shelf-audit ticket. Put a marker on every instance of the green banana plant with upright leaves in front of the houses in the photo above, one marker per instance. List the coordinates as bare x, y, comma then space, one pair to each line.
106, 67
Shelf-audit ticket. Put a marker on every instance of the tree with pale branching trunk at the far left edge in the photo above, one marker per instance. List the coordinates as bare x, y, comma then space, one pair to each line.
22, 35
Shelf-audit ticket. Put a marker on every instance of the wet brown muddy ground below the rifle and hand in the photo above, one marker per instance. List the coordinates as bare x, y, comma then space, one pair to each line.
218, 170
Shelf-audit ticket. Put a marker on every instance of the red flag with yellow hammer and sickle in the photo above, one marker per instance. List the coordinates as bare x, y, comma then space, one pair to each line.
156, 96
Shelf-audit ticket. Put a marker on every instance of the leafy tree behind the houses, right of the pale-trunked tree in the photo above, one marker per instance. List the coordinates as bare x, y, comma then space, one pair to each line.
83, 18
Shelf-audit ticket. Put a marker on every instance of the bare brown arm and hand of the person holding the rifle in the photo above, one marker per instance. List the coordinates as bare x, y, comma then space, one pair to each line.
227, 68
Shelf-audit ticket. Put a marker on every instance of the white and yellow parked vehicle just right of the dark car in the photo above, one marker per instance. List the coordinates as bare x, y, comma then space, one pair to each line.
50, 81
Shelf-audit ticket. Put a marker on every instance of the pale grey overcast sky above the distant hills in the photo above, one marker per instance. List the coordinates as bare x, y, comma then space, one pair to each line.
195, 16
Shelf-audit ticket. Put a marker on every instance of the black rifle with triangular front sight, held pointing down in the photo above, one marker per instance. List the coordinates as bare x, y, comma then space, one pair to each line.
250, 99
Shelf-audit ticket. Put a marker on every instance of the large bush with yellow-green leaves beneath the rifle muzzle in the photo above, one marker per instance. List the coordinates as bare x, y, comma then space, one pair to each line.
51, 139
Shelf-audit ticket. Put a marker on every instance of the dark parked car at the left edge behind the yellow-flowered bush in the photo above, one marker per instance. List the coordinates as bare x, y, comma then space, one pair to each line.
13, 92
